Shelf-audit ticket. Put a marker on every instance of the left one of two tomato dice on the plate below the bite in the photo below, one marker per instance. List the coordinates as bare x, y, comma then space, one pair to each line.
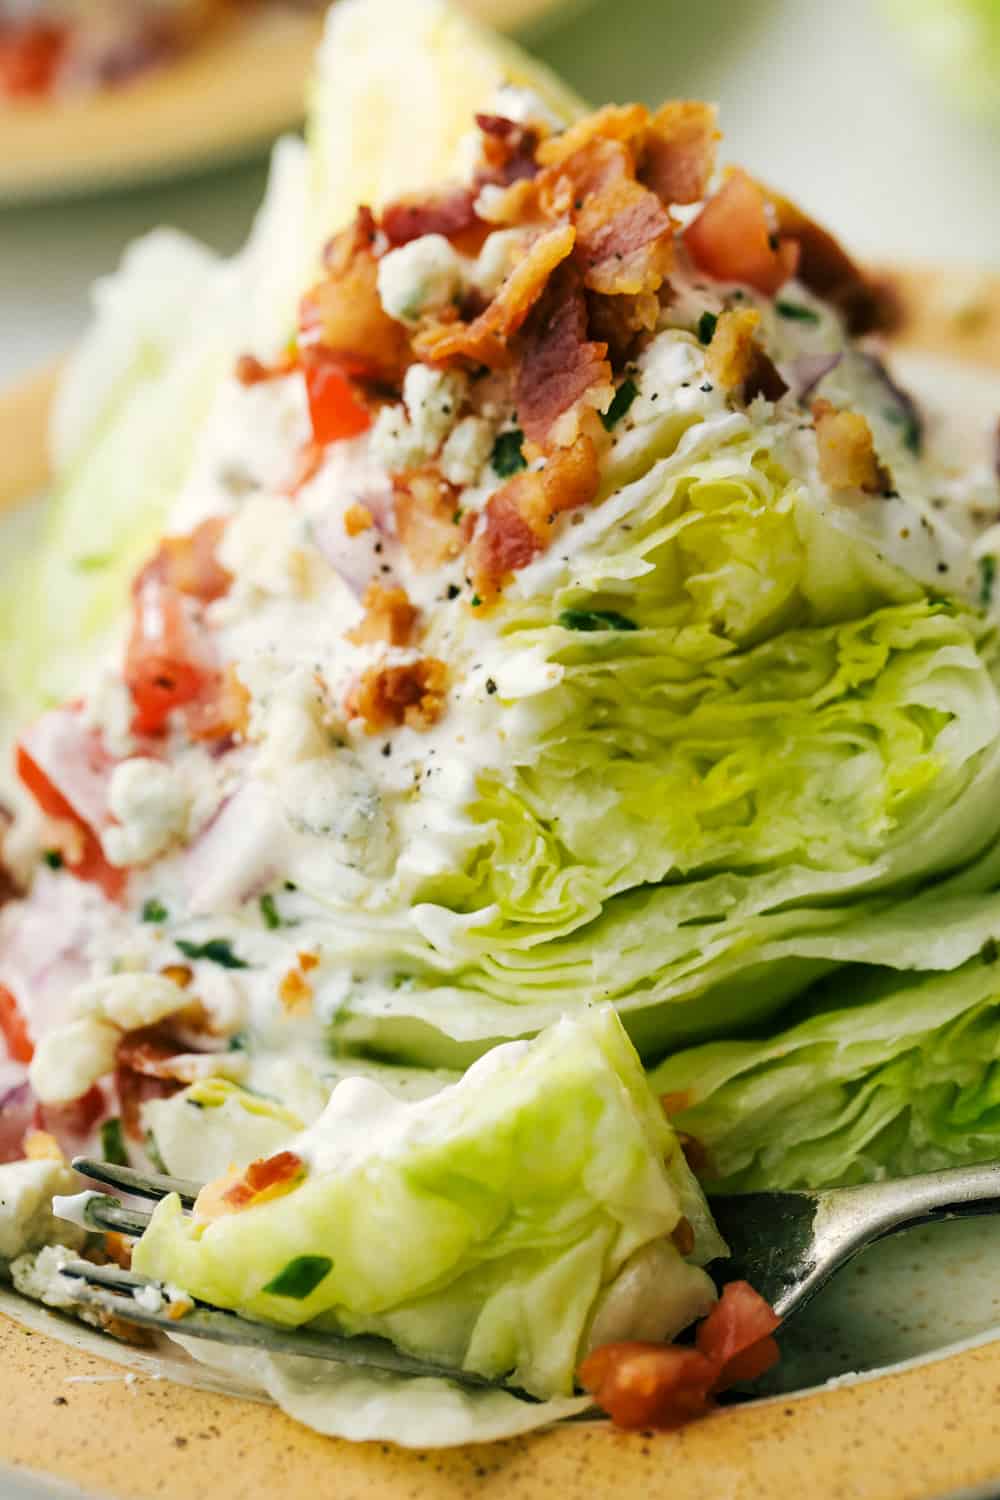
650, 1385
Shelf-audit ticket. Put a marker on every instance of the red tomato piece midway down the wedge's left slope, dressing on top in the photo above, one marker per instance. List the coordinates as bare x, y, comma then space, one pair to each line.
167, 667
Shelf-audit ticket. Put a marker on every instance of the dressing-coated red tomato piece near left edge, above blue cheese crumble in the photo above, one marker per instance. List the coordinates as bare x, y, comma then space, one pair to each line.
67, 769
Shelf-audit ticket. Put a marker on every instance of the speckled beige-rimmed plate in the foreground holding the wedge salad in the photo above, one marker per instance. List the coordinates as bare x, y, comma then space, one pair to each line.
917, 1319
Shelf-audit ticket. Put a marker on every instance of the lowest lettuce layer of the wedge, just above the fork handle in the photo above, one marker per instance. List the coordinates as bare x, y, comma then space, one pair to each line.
878, 1078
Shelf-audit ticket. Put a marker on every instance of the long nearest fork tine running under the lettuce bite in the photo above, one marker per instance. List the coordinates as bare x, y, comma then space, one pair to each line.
115, 1291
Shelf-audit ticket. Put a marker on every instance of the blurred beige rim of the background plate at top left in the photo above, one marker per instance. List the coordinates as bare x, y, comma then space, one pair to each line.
221, 103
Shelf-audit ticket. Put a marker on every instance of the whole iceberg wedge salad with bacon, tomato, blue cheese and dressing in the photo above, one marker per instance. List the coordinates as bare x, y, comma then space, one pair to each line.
504, 736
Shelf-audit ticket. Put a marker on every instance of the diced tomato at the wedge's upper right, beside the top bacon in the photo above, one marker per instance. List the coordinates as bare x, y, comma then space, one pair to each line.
732, 238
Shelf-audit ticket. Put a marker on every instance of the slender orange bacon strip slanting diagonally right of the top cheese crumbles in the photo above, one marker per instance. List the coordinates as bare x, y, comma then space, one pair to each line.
485, 341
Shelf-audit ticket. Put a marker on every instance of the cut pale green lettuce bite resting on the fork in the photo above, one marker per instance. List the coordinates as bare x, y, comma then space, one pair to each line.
484, 1228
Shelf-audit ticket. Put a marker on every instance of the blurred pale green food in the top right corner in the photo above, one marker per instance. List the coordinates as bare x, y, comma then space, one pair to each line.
959, 41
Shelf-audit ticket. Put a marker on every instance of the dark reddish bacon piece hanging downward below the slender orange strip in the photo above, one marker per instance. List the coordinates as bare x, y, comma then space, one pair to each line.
558, 364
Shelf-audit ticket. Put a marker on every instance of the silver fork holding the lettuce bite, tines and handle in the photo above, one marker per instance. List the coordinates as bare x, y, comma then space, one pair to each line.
786, 1244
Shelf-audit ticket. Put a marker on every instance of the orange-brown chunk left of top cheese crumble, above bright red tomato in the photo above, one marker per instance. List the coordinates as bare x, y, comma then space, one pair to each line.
344, 313
